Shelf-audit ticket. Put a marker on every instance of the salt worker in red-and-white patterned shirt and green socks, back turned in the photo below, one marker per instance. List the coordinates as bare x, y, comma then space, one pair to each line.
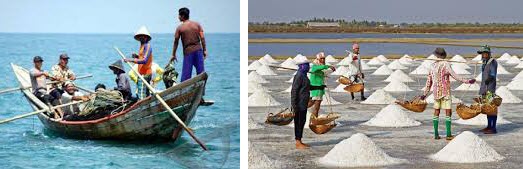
438, 80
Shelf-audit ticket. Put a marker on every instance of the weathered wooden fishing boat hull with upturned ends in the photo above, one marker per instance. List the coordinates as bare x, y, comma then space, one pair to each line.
144, 120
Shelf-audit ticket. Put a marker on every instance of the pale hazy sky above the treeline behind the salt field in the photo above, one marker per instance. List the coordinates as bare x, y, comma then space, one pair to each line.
392, 11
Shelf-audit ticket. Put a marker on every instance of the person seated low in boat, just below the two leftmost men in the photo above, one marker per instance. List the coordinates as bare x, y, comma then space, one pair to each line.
71, 94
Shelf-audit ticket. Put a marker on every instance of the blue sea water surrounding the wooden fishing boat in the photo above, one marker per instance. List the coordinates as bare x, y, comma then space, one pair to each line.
25, 144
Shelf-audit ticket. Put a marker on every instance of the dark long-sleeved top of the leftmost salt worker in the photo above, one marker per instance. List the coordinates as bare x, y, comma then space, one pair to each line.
300, 92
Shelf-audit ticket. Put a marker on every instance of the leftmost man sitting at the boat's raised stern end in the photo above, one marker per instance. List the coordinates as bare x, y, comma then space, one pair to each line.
39, 85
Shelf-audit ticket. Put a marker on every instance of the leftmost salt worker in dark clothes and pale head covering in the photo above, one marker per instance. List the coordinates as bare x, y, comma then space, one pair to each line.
300, 94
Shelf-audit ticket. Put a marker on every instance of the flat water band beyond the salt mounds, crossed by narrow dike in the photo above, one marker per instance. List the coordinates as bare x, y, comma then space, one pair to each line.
338, 49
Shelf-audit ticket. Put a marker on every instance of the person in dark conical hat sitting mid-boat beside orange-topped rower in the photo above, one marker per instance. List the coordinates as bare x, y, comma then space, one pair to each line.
122, 82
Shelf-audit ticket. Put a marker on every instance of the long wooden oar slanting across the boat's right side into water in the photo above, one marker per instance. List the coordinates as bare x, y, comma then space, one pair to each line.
159, 98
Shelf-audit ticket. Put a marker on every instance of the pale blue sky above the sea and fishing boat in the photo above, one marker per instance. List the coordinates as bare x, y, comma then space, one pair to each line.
115, 16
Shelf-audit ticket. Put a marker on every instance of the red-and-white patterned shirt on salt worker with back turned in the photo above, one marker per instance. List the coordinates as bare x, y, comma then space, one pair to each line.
438, 79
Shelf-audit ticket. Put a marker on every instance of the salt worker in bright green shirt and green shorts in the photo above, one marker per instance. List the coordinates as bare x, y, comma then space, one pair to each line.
317, 80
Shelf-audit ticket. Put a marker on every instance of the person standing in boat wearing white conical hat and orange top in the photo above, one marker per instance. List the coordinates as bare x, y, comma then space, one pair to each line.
144, 60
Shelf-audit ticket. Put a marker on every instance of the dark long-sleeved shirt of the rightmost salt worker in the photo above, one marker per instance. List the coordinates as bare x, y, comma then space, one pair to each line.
489, 71
